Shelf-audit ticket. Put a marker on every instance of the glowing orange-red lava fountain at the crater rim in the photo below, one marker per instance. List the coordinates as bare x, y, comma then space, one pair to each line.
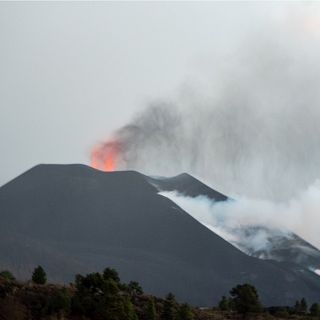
105, 157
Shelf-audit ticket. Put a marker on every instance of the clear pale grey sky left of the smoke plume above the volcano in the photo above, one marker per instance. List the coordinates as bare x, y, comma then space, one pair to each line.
71, 73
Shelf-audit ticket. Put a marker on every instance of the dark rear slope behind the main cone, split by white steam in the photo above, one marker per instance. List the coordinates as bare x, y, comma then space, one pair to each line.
282, 246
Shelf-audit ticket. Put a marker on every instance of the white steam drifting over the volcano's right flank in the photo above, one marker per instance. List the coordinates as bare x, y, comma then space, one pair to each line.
230, 219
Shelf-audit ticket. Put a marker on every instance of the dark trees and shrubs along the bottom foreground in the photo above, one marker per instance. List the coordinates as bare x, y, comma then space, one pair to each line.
102, 296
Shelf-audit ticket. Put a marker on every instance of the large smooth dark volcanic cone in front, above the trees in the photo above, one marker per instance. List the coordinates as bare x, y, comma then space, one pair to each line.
74, 219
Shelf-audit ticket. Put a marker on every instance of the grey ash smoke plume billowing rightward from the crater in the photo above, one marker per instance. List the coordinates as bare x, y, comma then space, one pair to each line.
250, 128
